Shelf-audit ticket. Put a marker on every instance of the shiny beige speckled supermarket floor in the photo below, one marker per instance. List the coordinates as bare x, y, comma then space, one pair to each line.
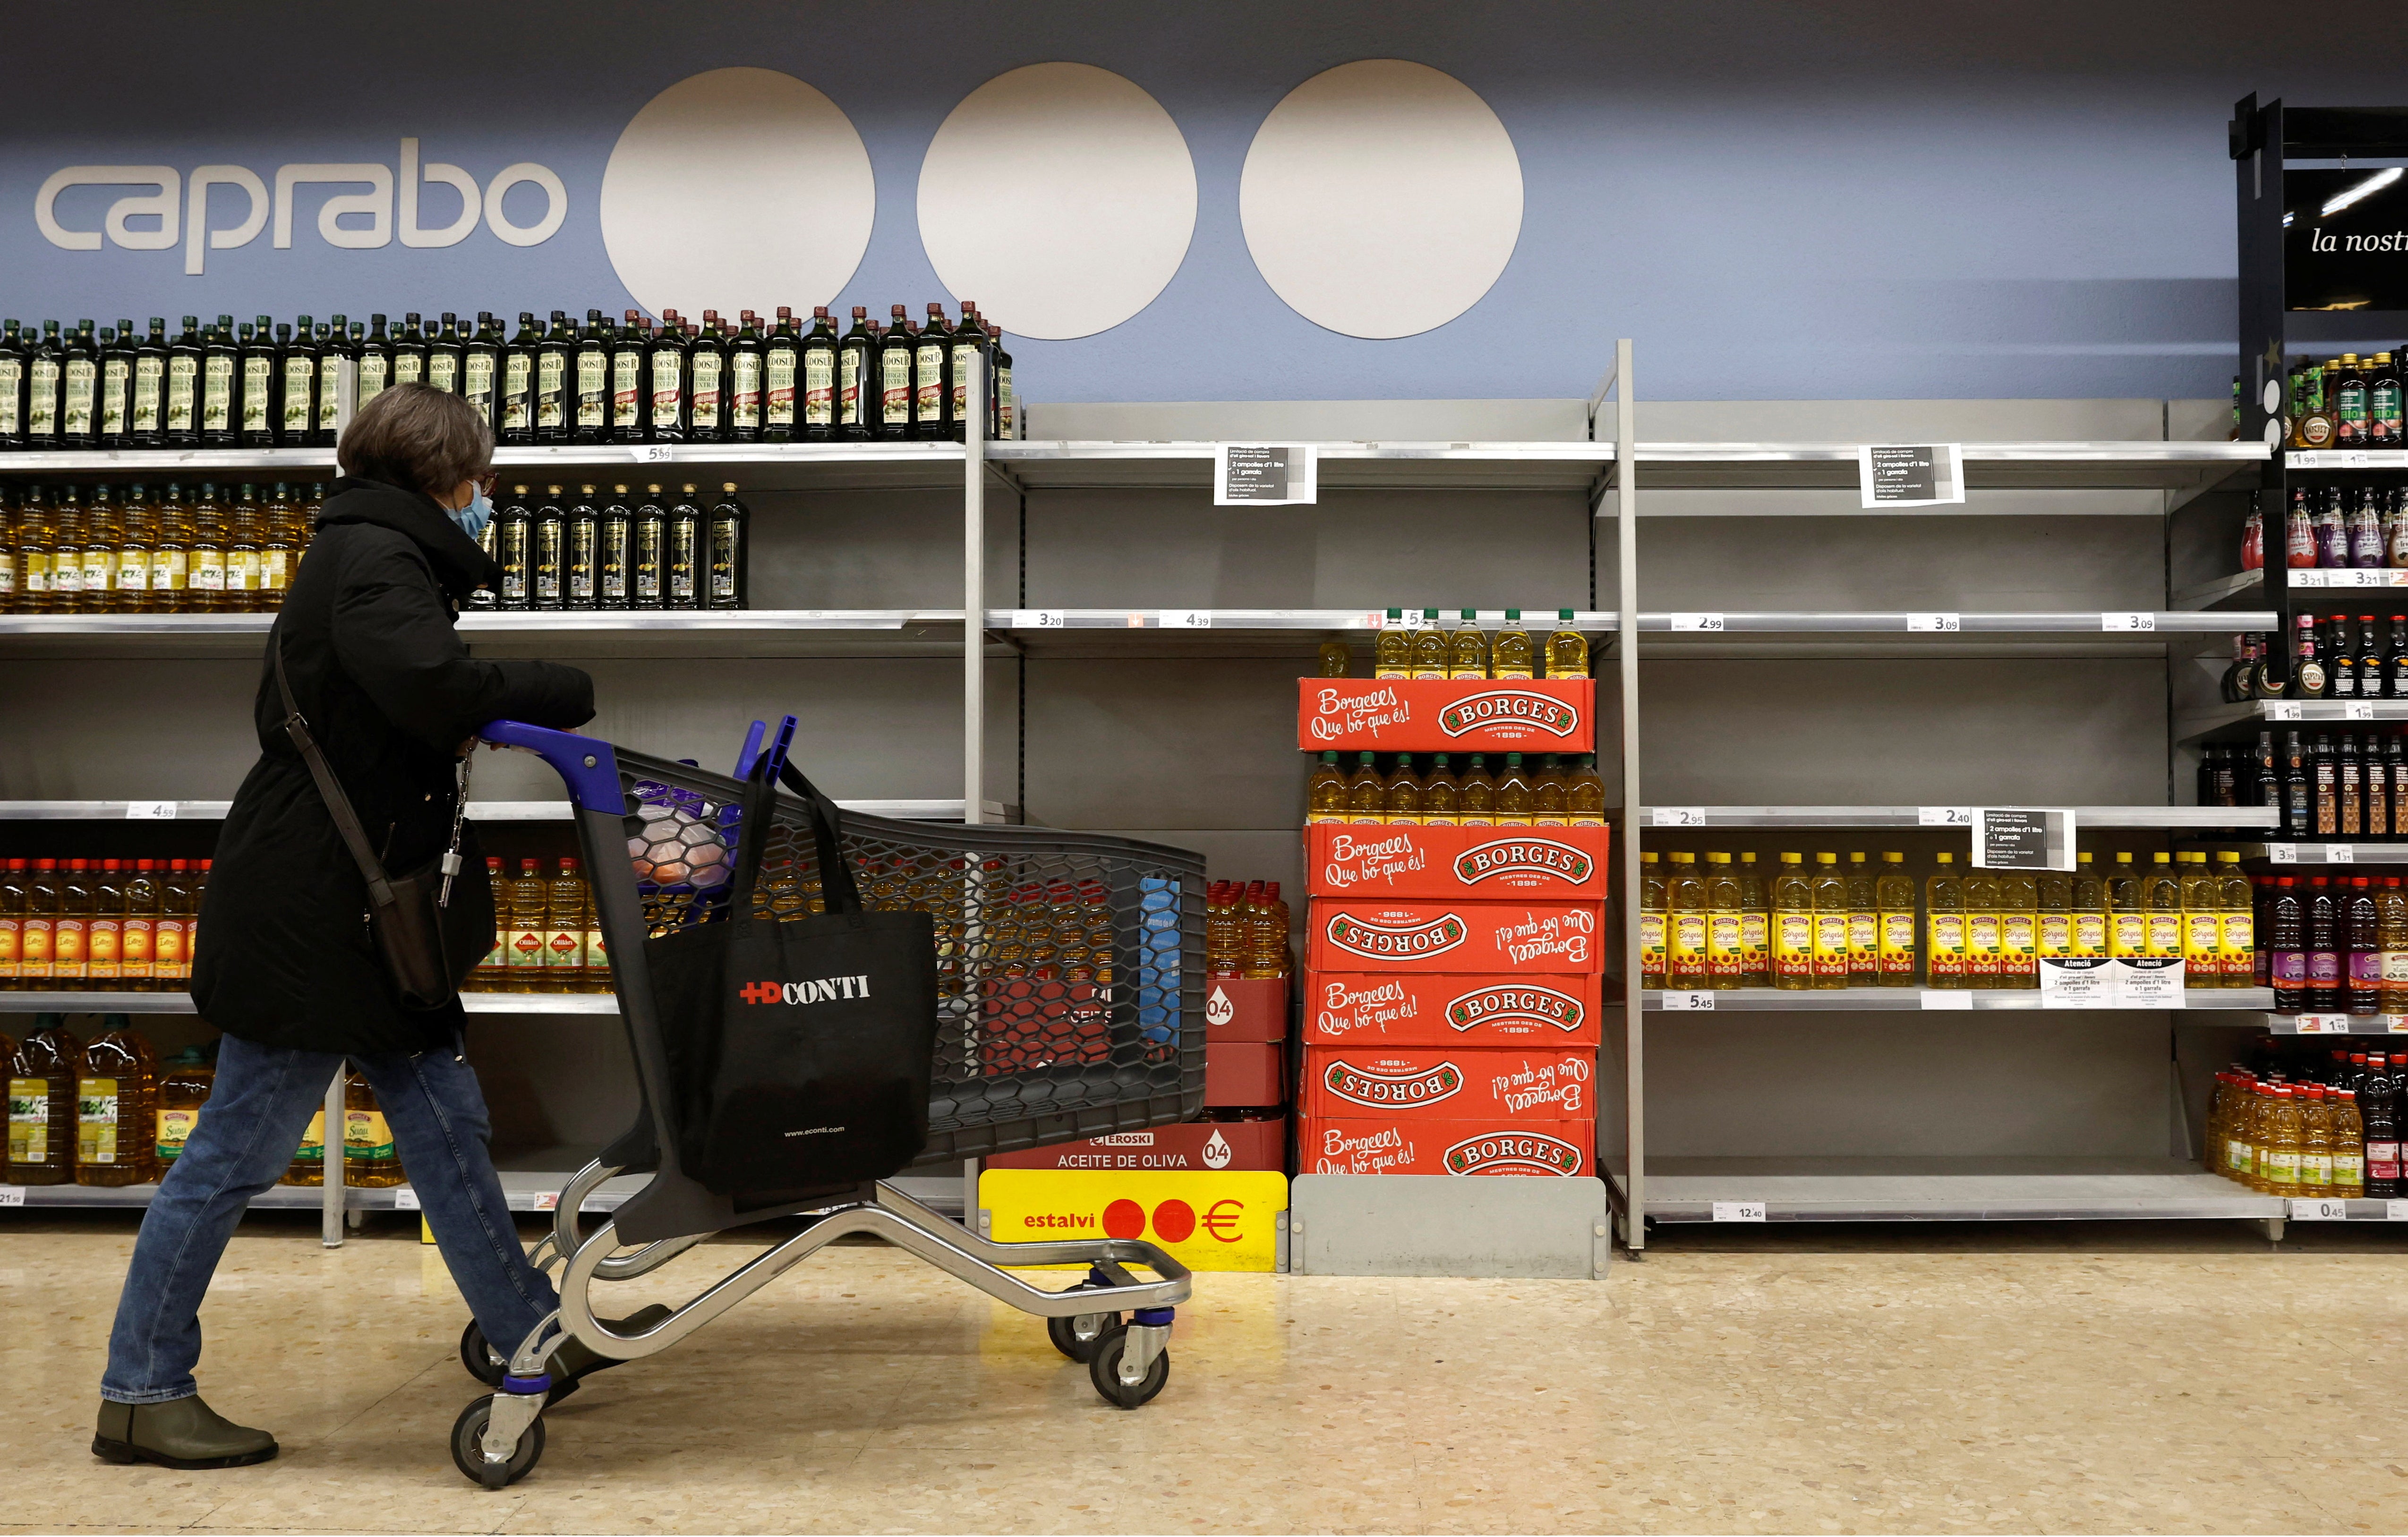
1786, 1382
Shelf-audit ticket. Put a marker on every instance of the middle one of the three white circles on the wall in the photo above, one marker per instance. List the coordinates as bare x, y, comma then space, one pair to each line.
1061, 199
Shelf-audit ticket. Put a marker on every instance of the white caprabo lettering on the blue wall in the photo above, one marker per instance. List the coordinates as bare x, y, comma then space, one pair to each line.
177, 206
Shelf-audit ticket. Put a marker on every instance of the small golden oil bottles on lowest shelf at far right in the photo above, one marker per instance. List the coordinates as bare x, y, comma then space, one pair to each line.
2296, 1126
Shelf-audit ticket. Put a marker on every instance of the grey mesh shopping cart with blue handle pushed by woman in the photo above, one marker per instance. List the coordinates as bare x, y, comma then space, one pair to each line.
1070, 1006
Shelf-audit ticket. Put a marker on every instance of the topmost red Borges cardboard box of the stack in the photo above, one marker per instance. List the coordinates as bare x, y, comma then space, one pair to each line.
1403, 714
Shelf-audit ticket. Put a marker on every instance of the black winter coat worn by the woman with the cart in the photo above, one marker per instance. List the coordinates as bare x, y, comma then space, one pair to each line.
389, 693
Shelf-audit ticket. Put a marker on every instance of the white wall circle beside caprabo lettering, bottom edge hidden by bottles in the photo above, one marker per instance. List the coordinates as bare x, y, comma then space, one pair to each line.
738, 189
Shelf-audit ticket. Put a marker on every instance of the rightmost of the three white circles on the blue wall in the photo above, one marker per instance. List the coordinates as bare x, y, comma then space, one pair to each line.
1381, 199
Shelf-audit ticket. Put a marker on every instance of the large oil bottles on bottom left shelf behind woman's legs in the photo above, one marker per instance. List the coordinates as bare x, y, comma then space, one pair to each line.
112, 1114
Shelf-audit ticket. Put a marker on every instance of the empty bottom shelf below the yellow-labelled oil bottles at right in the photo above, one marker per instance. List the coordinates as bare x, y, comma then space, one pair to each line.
1949, 1189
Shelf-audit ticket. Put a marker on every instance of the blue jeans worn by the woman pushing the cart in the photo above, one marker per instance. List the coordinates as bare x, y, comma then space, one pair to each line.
247, 1138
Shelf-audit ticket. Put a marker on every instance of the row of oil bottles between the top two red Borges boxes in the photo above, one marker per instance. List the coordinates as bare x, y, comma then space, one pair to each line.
1458, 791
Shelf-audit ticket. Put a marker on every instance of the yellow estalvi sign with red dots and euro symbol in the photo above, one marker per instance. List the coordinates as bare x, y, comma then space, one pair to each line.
1205, 1220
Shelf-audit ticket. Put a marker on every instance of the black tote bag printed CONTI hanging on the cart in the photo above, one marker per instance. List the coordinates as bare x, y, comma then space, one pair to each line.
801, 1049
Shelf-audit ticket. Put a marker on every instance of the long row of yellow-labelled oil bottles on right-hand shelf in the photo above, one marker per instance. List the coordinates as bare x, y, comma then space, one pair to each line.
1875, 926
